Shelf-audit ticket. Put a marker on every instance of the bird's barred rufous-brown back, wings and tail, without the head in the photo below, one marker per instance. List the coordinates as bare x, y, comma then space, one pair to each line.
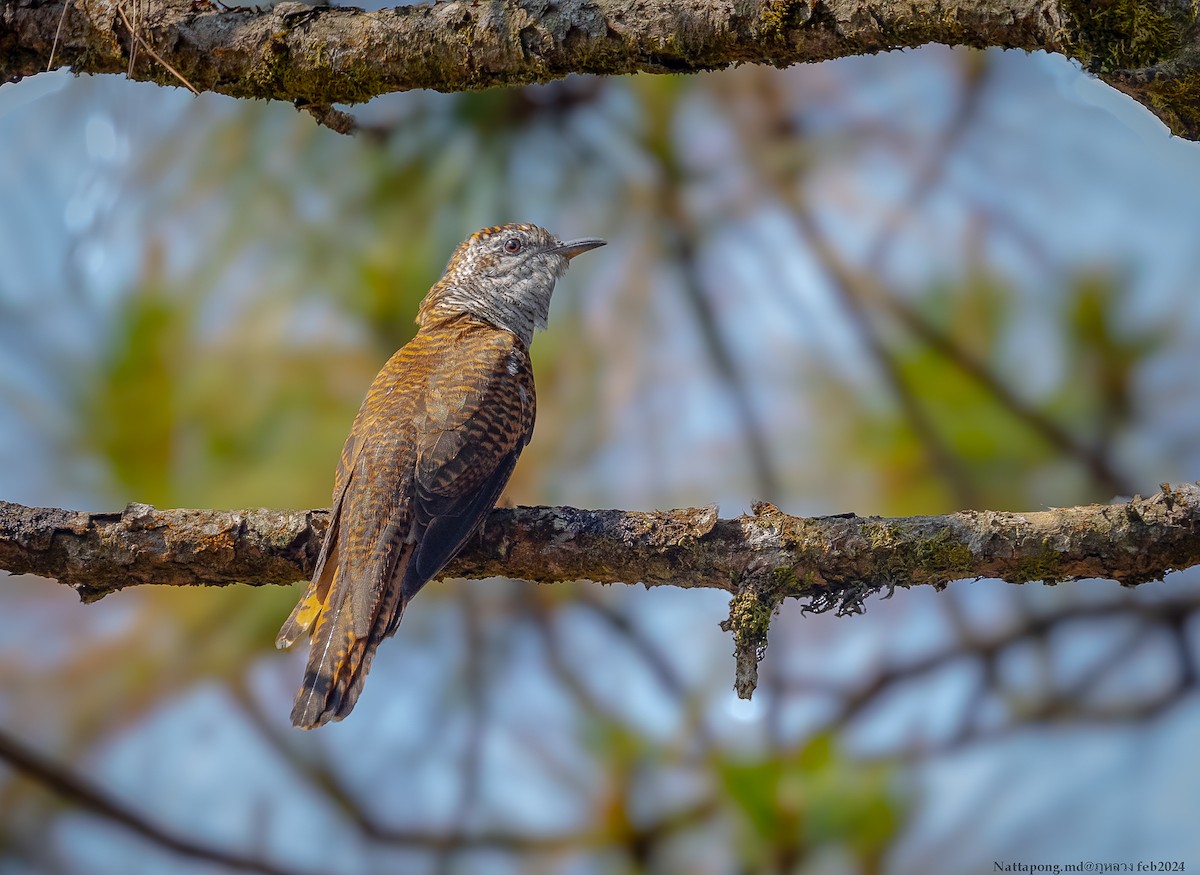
435, 444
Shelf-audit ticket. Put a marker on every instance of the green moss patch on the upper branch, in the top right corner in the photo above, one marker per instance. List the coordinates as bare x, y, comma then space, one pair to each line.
1129, 34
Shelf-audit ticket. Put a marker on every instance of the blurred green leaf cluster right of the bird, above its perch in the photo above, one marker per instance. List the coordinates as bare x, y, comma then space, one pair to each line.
1007, 463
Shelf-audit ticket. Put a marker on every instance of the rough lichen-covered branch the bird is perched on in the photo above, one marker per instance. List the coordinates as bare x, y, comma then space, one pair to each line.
761, 559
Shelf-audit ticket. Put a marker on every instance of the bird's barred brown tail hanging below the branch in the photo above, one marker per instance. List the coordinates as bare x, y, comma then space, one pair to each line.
344, 643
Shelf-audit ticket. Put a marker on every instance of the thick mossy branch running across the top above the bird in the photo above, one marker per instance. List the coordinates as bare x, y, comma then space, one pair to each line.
317, 57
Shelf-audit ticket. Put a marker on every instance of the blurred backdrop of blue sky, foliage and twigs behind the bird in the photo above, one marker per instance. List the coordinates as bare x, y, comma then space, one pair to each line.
897, 285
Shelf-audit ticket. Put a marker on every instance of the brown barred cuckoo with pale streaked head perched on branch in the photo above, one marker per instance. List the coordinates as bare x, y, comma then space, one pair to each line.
430, 452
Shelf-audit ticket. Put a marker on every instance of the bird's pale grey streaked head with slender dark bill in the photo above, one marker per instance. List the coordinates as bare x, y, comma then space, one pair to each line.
505, 275
